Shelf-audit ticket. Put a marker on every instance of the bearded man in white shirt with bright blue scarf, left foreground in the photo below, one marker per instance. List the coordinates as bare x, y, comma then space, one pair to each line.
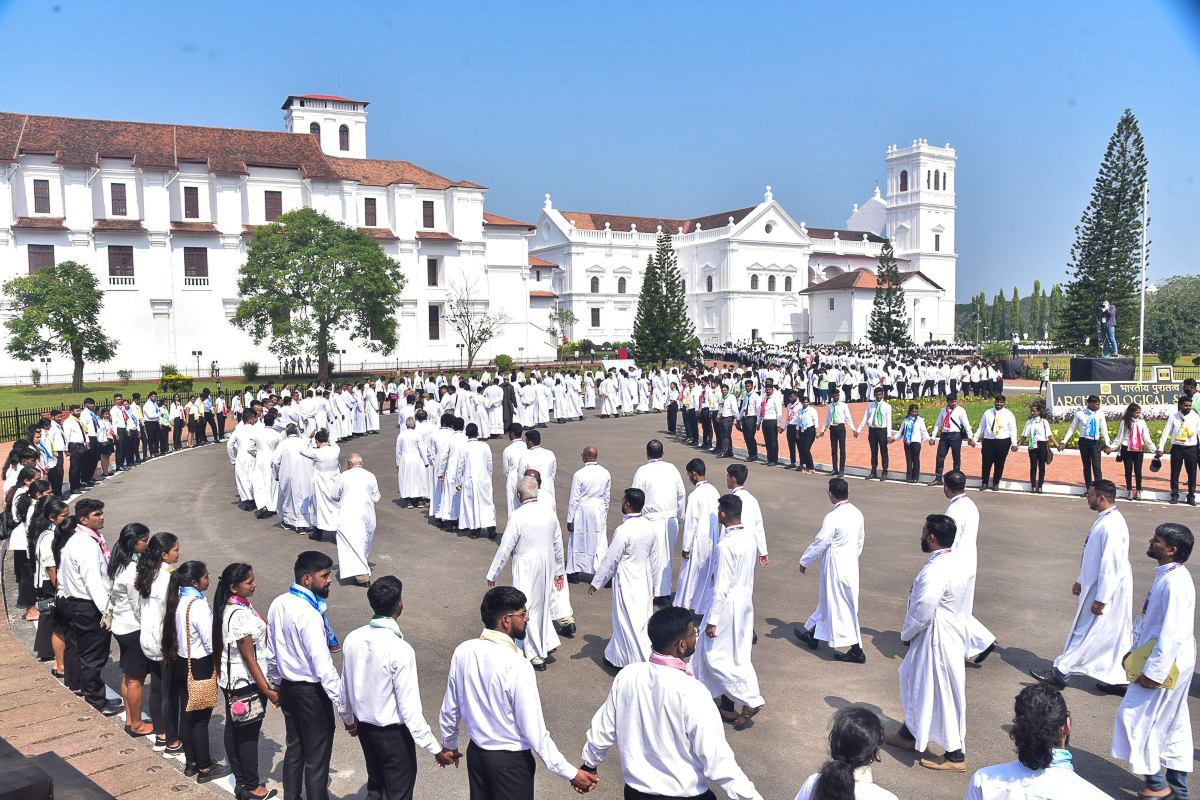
301, 669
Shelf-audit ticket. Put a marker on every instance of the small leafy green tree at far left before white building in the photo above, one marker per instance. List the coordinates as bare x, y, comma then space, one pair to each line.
58, 311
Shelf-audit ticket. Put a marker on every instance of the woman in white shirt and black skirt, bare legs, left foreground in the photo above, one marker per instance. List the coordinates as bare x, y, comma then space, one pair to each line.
123, 567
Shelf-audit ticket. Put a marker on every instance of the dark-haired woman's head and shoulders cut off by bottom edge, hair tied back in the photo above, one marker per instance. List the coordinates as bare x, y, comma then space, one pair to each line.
855, 742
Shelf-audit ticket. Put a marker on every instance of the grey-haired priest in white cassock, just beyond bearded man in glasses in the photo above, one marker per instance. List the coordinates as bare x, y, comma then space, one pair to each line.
533, 540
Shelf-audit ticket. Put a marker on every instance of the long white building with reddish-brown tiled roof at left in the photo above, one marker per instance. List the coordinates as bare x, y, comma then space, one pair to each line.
164, 214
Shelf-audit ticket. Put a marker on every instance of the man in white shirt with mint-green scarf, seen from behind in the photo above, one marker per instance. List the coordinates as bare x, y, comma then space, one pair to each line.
380, 678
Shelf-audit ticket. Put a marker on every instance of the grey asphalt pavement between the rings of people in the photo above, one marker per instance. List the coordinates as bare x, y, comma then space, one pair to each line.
1029, 555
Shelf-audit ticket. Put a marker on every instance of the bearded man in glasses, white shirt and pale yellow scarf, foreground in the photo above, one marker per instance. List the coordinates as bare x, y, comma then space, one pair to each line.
494, 694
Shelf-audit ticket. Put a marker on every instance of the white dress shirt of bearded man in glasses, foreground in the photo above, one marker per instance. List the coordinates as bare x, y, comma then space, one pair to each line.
494, 693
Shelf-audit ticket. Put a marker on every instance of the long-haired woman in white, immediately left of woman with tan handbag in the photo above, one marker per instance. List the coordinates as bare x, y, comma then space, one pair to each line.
152, 582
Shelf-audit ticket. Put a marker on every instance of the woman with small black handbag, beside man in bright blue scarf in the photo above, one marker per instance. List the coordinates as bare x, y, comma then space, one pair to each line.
239, 639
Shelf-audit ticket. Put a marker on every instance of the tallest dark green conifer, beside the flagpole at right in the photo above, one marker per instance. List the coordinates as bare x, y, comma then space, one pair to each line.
1106, 261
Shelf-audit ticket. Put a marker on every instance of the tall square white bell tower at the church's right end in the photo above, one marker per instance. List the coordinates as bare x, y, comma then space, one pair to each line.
921, 219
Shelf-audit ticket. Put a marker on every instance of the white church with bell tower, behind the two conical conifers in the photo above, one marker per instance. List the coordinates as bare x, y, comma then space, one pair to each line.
755, 273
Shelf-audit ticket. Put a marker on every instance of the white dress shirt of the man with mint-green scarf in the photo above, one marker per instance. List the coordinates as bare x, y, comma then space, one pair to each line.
380, 673
